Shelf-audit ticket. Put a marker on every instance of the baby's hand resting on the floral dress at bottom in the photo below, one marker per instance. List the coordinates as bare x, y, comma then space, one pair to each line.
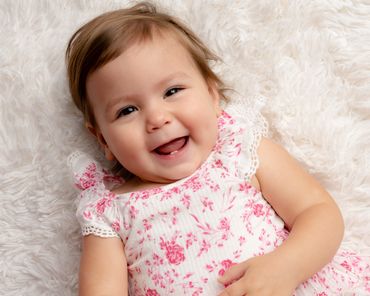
262, 276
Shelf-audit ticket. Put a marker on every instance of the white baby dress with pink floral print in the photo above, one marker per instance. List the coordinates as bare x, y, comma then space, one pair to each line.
179, 238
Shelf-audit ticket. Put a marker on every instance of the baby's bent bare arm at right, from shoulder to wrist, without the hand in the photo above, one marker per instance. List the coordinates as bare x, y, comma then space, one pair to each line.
313, 218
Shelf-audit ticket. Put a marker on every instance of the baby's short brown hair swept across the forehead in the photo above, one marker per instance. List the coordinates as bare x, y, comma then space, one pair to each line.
107, 36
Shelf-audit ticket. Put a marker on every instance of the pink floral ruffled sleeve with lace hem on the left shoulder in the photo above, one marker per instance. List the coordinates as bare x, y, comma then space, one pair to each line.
97, 210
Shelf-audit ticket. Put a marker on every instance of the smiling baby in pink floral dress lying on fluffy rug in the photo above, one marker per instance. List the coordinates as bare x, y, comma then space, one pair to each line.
208, 205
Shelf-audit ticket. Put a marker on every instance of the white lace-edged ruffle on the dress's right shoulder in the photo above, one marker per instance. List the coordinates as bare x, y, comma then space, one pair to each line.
253, 127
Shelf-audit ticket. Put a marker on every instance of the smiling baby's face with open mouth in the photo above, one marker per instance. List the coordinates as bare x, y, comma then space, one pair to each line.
155, 111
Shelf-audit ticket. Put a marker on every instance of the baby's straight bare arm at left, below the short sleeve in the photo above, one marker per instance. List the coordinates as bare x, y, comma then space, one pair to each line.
103, 269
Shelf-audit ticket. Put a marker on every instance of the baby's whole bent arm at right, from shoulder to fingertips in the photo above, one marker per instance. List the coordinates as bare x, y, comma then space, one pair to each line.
311, 215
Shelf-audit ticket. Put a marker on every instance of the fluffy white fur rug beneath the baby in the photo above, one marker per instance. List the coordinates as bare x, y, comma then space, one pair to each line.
310, 59
